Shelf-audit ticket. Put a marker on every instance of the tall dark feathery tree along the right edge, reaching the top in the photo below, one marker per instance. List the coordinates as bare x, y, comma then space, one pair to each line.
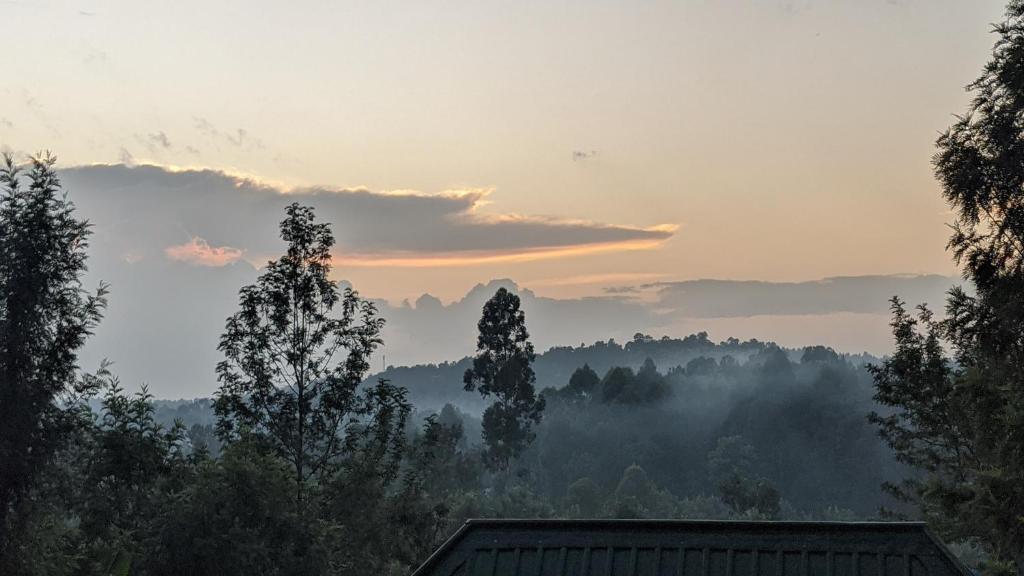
962, 420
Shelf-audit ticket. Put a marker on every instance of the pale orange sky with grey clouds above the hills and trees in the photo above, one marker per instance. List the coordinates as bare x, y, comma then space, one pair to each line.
602, 152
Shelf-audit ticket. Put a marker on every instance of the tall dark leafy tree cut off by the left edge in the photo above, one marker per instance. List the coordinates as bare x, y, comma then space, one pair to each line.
46, 317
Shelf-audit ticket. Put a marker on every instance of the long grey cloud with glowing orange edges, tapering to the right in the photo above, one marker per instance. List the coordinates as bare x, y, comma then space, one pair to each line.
151, 209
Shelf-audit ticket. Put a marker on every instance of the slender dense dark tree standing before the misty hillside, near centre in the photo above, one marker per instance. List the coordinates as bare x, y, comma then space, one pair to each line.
503, 369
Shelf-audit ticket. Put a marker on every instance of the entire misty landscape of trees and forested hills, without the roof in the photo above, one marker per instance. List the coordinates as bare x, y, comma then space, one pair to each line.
305, 464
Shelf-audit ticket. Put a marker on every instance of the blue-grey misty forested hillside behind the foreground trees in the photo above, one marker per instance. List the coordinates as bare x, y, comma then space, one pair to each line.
675, 409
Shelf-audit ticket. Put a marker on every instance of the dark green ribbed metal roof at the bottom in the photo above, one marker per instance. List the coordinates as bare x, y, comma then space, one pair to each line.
642, 548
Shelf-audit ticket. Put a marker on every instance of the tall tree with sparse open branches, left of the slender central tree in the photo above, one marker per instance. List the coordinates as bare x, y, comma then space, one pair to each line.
294, 356
